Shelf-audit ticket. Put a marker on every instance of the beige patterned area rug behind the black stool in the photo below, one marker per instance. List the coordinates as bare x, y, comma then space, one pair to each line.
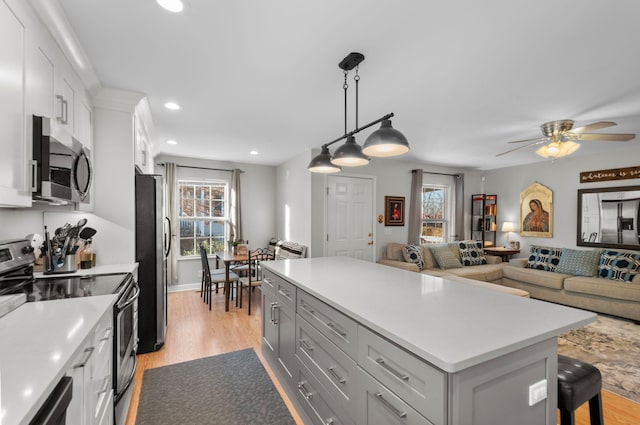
611, 345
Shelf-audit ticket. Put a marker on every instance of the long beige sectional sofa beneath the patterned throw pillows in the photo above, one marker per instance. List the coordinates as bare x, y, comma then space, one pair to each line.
592, 293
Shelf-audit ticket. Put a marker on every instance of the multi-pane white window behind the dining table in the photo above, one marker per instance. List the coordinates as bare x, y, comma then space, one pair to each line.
202, 216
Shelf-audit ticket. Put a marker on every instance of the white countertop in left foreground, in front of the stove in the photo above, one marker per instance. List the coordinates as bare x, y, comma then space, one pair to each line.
37, 344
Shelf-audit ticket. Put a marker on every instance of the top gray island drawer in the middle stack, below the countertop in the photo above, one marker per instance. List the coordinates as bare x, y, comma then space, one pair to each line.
340, 329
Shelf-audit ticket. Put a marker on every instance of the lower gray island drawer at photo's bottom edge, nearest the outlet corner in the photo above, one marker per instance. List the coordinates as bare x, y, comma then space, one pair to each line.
379, 406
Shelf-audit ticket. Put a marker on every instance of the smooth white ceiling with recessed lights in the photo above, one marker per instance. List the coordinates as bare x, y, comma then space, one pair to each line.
462, 77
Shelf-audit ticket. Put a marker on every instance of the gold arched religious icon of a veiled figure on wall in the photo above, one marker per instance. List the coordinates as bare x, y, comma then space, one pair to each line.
536, 211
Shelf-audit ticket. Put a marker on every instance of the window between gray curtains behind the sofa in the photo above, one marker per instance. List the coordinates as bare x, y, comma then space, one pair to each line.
435, 210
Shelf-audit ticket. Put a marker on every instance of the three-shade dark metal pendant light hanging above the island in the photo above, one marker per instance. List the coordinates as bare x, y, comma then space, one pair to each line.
384, 142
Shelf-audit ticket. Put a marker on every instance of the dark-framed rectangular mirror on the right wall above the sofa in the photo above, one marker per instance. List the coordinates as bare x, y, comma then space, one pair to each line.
609, 217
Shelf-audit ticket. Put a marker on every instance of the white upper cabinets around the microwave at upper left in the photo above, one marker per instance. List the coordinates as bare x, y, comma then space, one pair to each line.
36, 79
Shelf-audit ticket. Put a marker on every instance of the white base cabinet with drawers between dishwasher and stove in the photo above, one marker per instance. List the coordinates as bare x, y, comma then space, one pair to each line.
92, 401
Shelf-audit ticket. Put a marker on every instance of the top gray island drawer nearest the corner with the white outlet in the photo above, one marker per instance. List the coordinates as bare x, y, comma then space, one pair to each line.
413, 380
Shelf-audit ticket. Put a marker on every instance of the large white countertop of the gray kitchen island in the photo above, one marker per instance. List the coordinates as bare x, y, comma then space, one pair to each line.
450, 324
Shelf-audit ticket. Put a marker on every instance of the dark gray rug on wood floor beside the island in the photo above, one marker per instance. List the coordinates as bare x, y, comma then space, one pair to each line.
231, 388
